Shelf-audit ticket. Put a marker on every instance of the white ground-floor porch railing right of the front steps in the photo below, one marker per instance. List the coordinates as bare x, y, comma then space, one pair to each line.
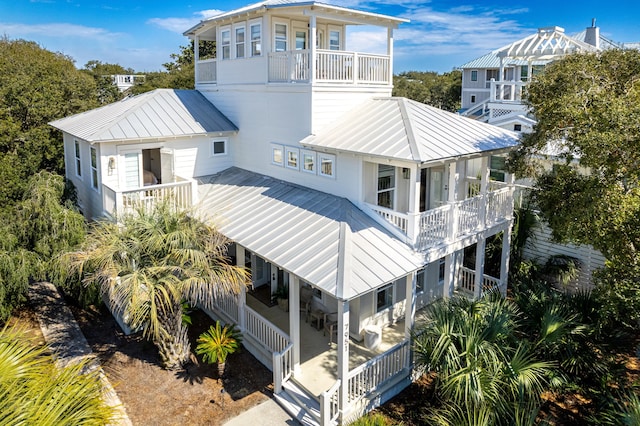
367, 377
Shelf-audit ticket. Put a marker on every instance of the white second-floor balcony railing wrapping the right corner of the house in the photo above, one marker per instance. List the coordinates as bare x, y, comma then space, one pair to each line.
452, 220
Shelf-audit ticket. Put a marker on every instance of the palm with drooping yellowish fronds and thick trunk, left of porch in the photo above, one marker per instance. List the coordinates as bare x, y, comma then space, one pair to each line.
148, 263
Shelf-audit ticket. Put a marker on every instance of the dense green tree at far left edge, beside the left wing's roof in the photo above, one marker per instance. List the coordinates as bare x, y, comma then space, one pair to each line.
36, 87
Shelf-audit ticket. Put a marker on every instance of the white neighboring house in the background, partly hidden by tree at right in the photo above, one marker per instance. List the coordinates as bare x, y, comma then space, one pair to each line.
492, 87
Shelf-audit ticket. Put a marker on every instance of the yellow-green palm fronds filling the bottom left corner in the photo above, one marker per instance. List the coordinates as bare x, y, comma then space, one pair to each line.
33, 390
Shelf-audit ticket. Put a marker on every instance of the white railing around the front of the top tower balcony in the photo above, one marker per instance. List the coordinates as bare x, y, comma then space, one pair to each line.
331, 67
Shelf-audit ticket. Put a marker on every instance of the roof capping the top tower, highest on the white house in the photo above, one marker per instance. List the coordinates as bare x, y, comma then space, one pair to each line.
348, 15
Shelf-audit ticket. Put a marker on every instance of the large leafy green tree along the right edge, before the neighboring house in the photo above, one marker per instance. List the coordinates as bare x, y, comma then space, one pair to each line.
587, 108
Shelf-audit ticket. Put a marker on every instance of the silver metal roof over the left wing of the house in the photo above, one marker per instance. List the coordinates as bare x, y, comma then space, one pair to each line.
161, 113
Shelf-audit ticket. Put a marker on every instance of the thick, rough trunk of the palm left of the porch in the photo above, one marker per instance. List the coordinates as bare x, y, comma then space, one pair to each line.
174, 347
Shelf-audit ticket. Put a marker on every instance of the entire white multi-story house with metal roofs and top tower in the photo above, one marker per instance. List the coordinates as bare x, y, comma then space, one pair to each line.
361, 205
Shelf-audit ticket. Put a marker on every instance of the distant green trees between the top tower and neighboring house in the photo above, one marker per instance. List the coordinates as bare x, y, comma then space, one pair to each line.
438, 90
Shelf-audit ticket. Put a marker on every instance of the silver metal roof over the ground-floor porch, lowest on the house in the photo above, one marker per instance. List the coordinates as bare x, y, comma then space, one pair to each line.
321, 238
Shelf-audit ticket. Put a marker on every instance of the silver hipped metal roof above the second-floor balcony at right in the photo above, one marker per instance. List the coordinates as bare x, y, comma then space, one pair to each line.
403, 129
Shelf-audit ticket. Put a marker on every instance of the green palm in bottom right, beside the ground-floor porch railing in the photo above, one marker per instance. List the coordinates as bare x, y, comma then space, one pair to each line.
484, 376
